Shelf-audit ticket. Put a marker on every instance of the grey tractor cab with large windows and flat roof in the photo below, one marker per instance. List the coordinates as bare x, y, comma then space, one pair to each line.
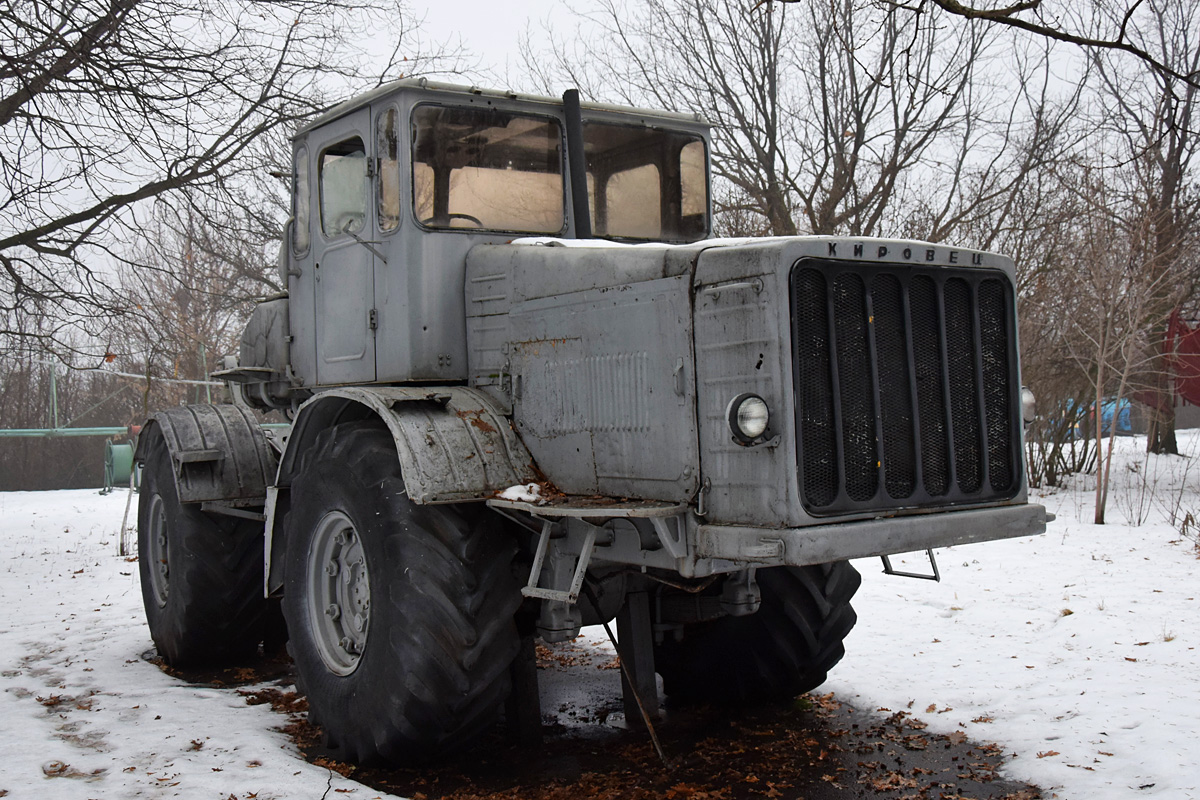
393, 189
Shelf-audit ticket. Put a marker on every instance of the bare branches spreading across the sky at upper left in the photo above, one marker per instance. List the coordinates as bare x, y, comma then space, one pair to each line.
109, 105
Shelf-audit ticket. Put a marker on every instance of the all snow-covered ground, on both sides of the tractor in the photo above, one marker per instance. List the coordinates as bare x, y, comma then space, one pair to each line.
1076, 651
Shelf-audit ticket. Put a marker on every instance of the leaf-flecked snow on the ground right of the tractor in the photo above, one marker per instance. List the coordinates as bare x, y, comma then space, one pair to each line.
1076, 651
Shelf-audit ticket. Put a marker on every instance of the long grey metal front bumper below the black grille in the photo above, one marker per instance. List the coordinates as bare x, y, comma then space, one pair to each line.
862, 539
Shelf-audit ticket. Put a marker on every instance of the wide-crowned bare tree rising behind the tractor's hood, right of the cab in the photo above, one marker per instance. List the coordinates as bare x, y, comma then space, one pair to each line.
826, 117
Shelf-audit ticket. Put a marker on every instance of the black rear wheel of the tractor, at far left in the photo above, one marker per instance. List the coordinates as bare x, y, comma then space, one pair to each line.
202, 576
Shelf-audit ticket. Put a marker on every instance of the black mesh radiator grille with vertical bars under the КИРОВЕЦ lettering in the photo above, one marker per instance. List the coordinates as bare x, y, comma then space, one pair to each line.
905, 386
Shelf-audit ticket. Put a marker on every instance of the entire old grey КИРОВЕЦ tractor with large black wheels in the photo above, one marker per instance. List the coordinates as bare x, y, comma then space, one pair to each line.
529, 393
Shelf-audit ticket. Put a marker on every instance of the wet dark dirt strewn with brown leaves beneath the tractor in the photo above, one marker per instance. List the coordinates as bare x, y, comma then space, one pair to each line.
814, 749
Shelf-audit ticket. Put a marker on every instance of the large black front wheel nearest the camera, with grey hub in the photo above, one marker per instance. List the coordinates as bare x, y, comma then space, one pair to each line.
401, 617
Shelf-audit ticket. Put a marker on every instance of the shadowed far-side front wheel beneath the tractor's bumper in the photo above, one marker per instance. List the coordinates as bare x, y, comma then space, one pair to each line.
784, 649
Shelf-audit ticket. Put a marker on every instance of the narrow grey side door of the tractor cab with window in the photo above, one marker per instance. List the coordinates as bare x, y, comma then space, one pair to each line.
344, 256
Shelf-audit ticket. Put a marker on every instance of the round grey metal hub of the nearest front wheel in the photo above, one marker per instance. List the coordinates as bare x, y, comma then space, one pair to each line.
339, 593
